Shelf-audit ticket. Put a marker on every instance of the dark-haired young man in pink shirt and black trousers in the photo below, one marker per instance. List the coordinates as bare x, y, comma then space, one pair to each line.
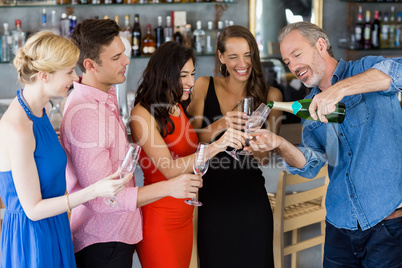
95, 140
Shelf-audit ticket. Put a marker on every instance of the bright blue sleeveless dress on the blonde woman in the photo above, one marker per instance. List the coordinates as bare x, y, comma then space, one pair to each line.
44, 243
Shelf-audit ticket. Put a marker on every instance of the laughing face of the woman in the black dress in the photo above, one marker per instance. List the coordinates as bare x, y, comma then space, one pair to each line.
237, 57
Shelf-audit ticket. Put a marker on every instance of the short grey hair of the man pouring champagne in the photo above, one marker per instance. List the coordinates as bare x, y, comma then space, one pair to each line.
309, 31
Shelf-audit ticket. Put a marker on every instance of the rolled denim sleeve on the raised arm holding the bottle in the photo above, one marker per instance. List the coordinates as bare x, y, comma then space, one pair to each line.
393, 68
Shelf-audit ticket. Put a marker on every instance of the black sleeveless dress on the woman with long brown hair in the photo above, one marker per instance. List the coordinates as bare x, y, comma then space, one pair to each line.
235, 221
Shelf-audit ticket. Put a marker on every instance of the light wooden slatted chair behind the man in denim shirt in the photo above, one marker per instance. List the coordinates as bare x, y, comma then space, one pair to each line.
293, 211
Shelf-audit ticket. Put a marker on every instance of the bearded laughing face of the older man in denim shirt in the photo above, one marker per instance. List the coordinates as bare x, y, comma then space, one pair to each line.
303, 59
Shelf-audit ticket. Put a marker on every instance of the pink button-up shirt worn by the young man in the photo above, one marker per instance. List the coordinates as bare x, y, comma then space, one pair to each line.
95, 140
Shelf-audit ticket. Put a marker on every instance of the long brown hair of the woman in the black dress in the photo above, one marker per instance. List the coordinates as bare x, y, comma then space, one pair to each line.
256, 86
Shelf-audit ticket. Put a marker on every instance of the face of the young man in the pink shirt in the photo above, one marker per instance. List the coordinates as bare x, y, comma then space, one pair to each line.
113, 64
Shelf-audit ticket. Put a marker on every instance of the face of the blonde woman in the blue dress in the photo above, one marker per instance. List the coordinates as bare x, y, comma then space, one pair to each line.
59, 82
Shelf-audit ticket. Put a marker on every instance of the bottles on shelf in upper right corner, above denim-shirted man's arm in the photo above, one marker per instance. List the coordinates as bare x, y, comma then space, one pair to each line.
373, 27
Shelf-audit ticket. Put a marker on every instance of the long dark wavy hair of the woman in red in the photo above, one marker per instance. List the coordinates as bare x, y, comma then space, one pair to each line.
161, 87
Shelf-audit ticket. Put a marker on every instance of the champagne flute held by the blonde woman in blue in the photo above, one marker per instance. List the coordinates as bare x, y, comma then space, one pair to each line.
127, 166
